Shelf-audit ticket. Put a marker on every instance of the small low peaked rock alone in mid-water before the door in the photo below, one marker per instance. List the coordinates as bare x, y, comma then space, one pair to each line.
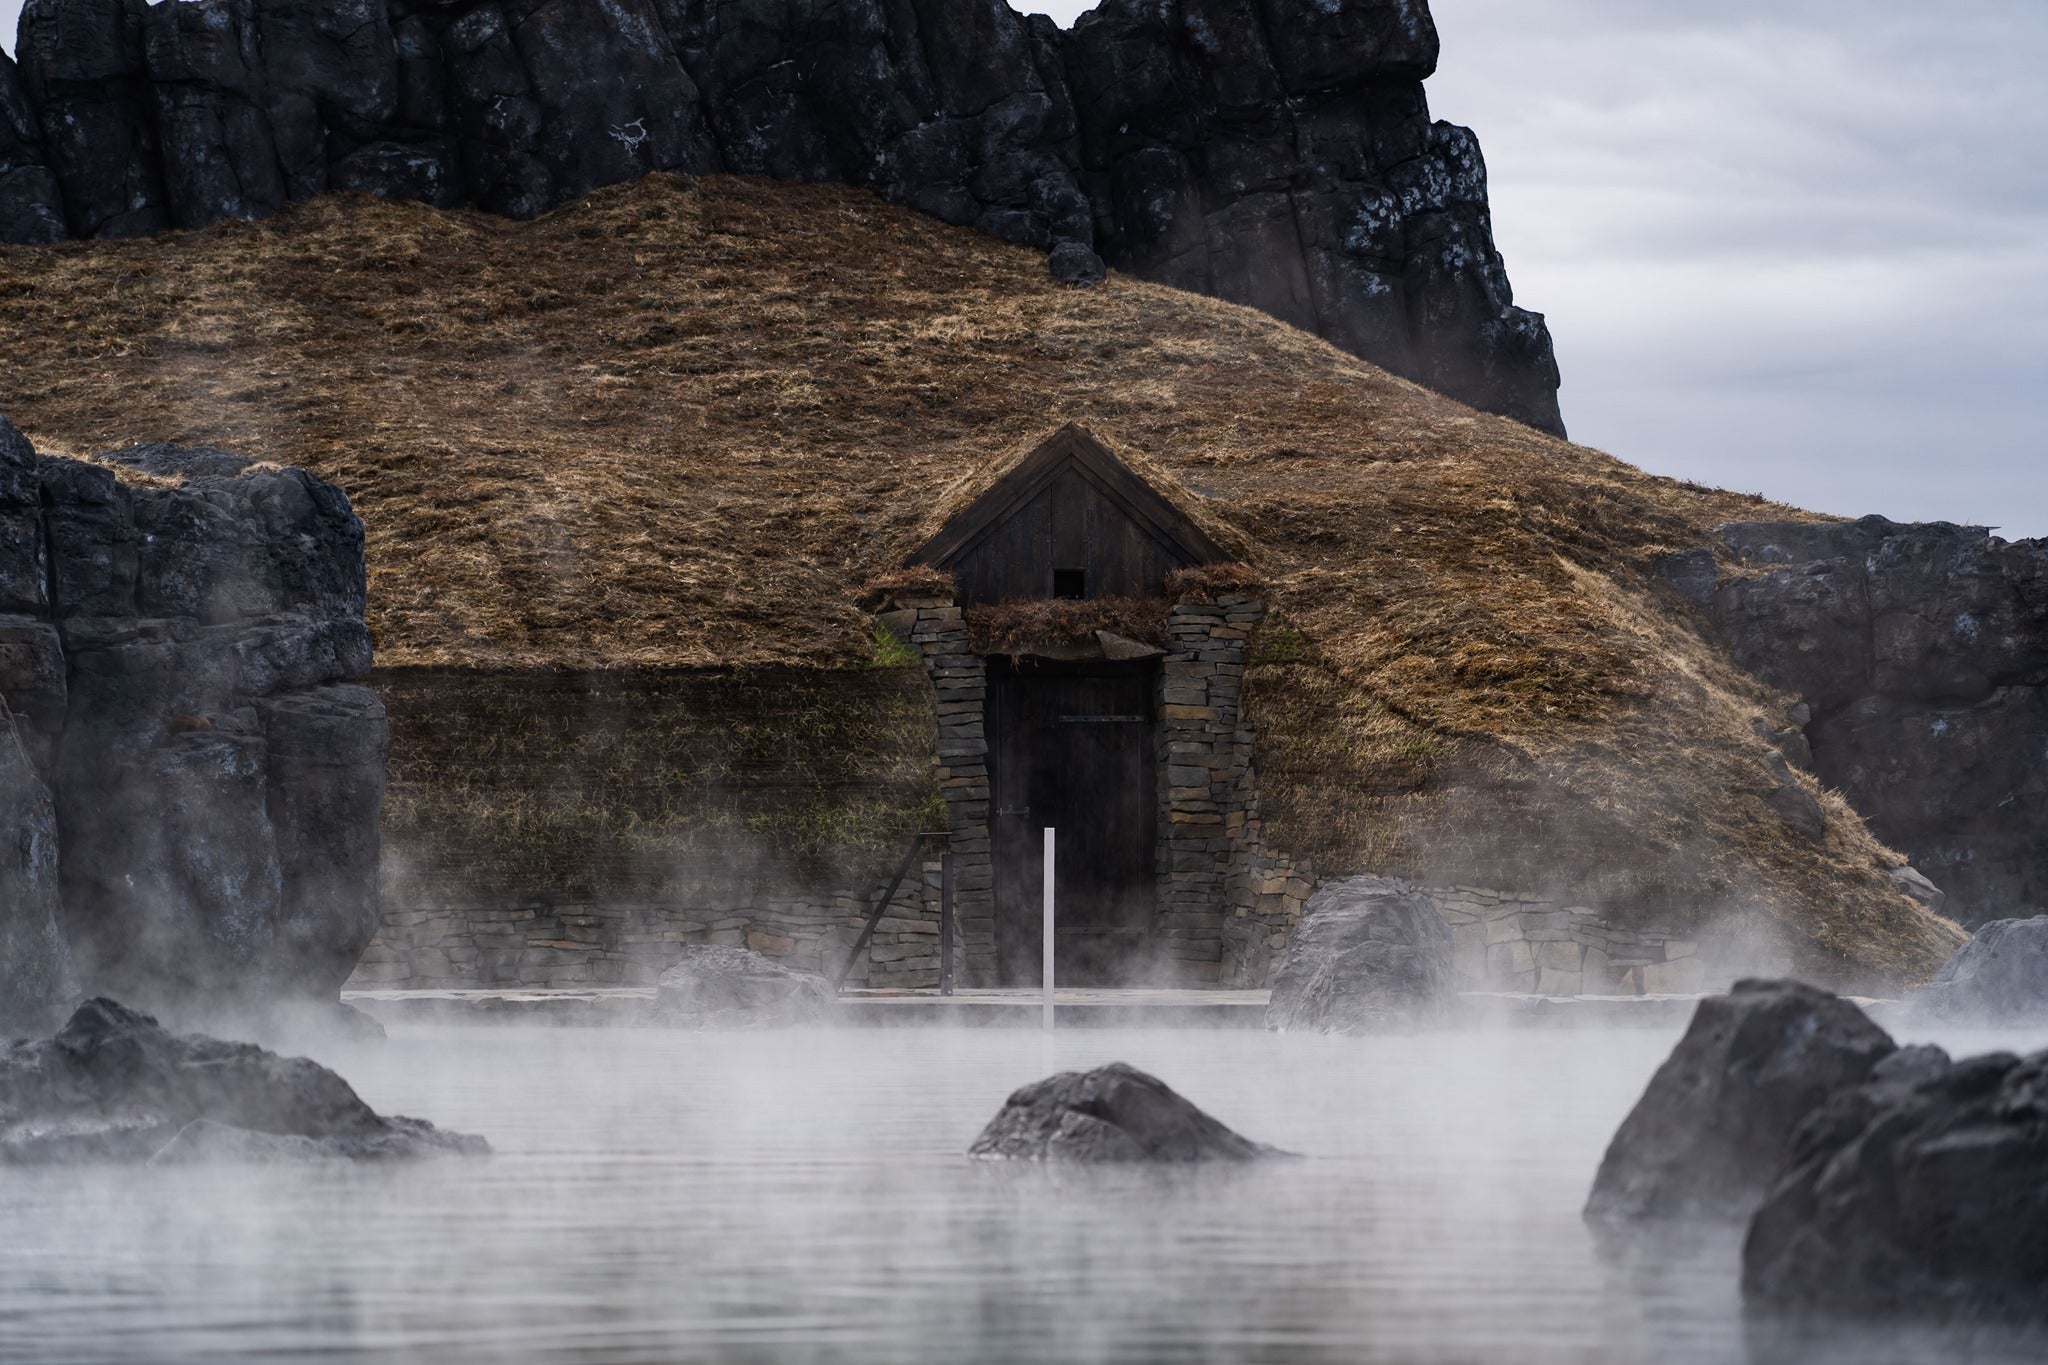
1111, 1114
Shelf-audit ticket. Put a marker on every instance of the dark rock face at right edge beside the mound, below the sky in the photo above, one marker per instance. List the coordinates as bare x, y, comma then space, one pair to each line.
1922, 656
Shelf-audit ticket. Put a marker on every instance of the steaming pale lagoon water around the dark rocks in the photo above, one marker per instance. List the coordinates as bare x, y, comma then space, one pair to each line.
804, 1196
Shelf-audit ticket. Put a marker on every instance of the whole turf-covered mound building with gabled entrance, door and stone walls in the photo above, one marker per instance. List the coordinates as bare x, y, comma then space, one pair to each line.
646, 484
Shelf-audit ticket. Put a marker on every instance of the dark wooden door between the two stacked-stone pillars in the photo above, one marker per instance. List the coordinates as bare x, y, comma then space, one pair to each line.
1074, 748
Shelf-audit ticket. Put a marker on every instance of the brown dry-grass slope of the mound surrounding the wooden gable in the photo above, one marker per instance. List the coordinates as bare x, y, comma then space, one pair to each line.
681, 425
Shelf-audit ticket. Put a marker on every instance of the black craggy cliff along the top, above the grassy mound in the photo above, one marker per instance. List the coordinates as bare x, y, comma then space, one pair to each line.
1271, 152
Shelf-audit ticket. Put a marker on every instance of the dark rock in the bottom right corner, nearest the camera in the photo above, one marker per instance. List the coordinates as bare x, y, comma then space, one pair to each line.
1922, 1192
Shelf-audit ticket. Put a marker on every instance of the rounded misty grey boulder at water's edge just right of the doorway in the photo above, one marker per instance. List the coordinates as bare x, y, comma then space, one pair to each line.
1369, 955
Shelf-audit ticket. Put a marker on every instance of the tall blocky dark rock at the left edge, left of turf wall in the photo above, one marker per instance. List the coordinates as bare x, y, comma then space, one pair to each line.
181, 654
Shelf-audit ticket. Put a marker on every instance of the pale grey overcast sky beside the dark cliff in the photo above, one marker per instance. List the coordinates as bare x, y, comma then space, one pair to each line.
1785, 247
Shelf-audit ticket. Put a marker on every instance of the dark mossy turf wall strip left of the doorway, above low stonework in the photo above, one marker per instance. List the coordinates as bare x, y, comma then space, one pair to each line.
652, 783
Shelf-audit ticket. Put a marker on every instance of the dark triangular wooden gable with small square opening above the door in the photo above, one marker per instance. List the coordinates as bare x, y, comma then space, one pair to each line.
1070, 521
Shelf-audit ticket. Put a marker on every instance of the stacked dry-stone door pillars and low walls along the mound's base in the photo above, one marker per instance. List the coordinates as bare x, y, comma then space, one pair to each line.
1228, 904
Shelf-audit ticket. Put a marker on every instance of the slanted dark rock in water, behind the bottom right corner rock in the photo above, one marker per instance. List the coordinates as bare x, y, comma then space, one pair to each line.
1715, 1127
